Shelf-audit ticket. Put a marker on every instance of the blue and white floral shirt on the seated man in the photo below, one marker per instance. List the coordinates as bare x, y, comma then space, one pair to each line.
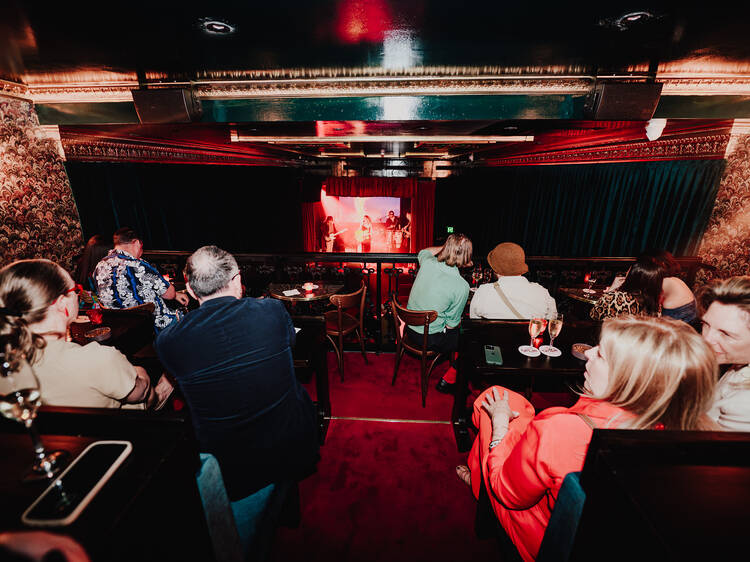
123, 281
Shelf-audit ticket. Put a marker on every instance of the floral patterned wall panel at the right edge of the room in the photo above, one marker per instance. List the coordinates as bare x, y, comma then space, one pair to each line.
726, 242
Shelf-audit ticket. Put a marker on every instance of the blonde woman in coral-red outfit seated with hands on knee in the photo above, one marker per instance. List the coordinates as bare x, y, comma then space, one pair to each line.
646, 373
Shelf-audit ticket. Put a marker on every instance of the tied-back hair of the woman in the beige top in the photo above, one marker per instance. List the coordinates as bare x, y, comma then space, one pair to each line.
27, 289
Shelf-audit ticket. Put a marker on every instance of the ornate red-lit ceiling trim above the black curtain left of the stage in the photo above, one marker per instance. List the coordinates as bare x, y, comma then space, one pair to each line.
104, 151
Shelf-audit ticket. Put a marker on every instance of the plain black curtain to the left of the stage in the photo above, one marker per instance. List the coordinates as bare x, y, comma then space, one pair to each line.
183, 207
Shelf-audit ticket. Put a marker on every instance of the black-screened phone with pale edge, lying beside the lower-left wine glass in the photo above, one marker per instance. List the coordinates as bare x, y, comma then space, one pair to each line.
69, 494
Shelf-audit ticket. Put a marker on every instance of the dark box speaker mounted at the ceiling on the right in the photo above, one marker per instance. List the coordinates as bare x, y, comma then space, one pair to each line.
623, 101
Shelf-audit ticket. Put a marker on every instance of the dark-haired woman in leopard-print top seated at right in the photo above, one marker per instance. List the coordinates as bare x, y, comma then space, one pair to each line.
640, 293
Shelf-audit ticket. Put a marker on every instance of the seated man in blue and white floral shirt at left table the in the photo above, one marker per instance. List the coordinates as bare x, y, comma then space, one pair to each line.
124, 280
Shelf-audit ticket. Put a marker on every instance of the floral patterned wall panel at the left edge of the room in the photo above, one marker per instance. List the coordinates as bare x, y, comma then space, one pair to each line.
38, 216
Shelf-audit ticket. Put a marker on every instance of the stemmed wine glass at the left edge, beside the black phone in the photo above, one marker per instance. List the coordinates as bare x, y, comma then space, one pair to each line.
20, 397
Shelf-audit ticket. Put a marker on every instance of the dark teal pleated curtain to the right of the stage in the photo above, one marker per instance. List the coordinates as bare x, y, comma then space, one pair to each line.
583, 210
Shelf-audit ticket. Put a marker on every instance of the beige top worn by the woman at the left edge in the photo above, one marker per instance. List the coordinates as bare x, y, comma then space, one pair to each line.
89, 376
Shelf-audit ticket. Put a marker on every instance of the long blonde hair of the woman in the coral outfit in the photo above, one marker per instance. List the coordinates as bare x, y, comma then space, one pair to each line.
661, 370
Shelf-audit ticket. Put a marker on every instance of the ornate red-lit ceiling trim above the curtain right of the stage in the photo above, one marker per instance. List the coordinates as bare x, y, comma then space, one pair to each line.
685, 148
